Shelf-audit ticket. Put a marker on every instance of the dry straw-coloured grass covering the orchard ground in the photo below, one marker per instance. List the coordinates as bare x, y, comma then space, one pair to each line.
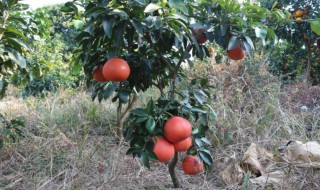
70, 141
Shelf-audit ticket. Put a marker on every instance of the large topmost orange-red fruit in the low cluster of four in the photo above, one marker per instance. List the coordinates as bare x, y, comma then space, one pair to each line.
177, 129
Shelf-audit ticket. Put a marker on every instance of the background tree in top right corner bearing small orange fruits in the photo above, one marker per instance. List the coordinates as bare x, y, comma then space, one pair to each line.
298, 54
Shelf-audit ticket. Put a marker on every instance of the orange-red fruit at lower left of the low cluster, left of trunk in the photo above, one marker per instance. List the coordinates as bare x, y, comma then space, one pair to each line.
163, 149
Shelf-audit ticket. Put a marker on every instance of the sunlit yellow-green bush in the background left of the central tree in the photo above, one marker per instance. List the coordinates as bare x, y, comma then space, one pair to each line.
48, 62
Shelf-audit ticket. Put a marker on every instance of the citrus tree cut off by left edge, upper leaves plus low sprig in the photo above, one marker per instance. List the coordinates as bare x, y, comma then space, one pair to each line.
14, 32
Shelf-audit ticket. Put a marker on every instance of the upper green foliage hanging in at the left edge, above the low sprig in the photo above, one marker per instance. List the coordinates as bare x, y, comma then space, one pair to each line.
13, 43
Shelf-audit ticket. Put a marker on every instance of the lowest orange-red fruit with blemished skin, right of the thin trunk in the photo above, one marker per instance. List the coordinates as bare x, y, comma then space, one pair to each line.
191, 165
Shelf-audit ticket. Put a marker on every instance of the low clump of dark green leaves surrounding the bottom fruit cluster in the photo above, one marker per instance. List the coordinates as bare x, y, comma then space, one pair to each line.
145, 123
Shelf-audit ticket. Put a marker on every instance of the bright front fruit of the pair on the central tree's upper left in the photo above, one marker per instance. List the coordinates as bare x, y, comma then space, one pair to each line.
116, 70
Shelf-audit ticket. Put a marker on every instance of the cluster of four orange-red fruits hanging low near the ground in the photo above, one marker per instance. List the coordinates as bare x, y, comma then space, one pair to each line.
177, 131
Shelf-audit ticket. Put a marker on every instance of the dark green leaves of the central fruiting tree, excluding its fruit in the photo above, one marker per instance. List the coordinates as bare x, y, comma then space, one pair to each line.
155, 38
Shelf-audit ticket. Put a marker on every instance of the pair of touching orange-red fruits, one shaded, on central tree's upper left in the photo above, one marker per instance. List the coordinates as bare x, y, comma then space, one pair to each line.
114, 70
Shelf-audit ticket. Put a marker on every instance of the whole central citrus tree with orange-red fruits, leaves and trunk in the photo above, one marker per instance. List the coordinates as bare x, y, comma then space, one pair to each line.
126, 47
